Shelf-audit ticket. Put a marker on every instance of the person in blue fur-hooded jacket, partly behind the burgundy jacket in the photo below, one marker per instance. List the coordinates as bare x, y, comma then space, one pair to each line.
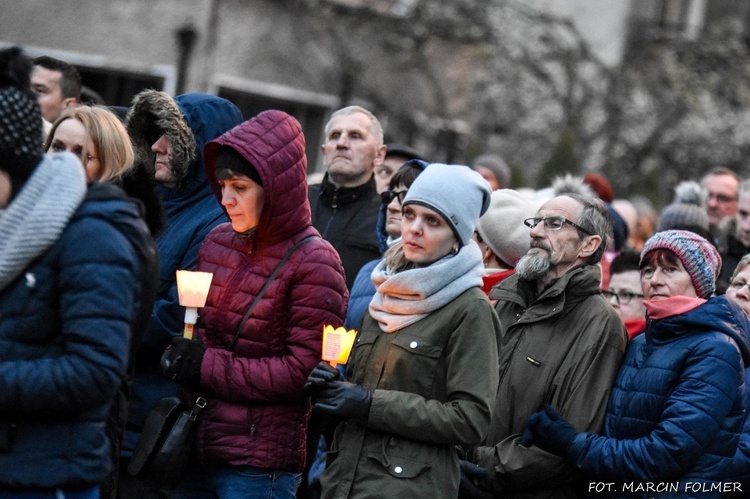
170, 134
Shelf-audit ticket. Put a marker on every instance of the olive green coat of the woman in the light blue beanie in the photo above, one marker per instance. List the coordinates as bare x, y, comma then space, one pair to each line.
433, 385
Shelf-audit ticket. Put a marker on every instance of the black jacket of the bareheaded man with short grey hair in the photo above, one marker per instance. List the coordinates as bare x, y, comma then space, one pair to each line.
347, 218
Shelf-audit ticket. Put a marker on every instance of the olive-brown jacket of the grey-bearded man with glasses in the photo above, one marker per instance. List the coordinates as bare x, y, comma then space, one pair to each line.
563, 348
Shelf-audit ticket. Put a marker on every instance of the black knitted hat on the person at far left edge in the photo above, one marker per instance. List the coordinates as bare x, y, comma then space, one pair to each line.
20, 118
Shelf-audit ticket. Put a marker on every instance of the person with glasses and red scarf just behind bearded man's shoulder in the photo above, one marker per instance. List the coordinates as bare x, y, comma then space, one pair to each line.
624, 291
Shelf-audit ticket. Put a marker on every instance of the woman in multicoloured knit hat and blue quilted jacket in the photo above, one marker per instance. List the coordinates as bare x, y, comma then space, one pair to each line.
677, 407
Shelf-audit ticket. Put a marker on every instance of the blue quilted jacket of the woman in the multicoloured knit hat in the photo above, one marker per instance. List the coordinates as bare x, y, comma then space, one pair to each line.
677, 407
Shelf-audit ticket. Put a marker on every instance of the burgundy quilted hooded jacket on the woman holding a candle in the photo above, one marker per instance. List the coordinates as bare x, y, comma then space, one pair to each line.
257, 412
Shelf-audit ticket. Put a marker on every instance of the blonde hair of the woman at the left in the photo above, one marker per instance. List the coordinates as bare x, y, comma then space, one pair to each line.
109, 136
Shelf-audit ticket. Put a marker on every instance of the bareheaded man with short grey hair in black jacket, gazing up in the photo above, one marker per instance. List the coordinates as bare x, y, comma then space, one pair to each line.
345, 204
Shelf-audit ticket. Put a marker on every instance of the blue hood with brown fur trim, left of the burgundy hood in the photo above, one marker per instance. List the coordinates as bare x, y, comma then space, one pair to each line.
189, 121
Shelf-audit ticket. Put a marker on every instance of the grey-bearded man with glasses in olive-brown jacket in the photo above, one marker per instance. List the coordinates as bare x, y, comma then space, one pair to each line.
561, 344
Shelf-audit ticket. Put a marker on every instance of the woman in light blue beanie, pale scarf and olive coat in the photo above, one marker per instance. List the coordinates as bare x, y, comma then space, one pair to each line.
422, 376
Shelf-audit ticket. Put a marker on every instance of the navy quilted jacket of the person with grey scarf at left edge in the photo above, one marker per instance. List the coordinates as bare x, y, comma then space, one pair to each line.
64, 335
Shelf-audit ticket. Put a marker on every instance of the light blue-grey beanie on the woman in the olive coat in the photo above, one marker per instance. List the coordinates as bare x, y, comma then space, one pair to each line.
459, 194
